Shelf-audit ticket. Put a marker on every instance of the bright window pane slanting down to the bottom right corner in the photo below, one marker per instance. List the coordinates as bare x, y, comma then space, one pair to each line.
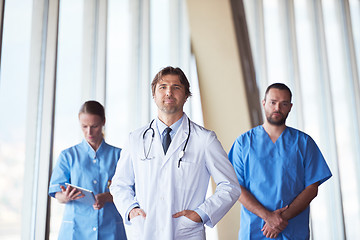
345, 120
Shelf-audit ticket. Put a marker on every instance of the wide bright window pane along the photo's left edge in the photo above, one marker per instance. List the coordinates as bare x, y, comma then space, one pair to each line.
13, 103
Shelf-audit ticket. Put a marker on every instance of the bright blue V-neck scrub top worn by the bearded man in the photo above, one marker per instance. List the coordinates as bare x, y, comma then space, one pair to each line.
275, 174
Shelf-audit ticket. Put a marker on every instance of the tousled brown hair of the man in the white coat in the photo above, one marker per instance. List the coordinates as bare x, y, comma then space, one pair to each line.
171, 71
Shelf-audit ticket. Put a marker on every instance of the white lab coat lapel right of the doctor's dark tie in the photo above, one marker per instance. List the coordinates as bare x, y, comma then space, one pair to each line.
178, 141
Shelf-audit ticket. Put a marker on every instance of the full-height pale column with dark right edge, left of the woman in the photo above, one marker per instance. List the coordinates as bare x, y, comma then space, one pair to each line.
40, 118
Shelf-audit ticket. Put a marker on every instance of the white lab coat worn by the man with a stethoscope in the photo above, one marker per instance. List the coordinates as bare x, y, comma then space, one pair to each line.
161, 188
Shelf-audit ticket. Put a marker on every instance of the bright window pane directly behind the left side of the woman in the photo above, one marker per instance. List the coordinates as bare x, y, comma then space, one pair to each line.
68, 90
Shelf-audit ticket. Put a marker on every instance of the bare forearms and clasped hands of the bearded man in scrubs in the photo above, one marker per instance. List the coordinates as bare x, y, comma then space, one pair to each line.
276, 221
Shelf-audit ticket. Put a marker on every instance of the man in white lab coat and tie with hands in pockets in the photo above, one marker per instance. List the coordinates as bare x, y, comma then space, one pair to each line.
162, 176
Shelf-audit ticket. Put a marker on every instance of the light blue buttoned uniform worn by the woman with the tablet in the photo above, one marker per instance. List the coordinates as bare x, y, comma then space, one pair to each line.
82, 166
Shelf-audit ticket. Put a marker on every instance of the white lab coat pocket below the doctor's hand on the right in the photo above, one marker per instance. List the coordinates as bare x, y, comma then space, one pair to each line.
188, 229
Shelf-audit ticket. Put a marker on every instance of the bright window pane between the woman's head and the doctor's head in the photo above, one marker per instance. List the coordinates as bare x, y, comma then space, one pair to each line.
119, 110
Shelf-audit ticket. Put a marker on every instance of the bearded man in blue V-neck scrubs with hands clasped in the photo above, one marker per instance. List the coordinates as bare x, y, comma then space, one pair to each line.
279, 169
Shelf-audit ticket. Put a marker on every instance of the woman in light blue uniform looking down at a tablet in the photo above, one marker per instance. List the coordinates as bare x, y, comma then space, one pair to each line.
90, 165
